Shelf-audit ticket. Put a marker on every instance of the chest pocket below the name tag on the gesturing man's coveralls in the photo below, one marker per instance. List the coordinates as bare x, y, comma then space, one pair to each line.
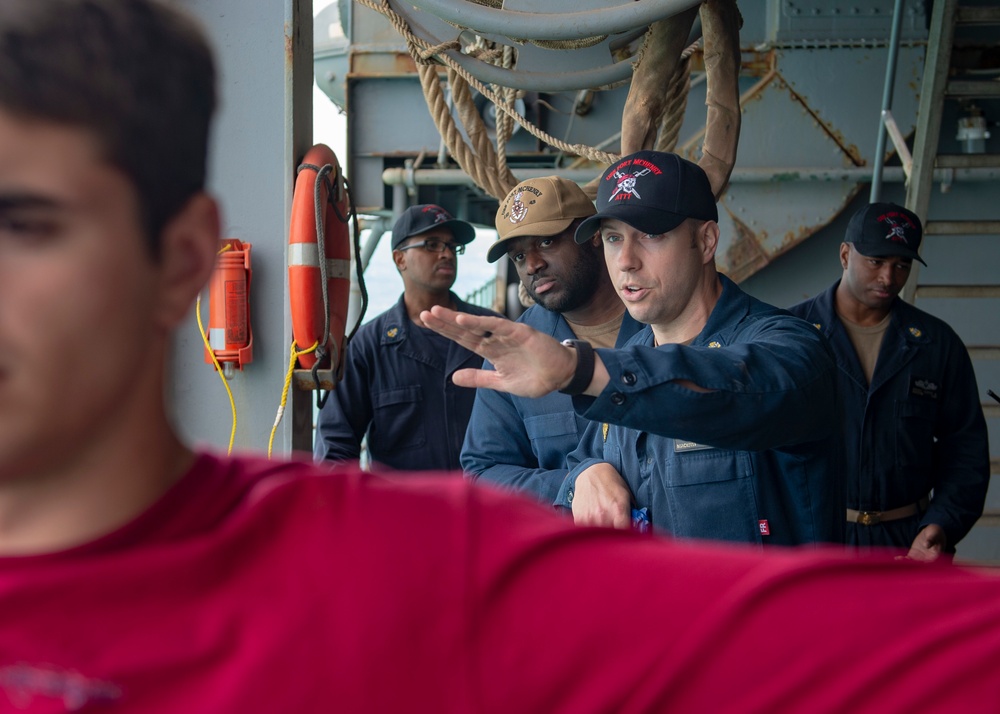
710, 494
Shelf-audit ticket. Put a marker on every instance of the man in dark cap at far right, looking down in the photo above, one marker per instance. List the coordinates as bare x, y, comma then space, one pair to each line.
916, 448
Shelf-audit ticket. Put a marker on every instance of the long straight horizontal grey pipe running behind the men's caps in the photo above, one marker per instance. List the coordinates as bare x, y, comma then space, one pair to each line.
894, 174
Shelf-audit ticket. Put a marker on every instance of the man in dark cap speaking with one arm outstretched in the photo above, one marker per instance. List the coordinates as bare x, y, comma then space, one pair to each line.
719, 418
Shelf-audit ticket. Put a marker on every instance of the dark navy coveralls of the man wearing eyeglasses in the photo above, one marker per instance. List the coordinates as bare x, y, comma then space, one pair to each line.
397, 389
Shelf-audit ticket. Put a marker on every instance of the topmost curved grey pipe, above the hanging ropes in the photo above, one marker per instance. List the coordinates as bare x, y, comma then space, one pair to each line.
620, 17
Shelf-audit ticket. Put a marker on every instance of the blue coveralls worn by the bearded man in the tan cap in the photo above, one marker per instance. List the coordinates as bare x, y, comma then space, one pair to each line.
520, 443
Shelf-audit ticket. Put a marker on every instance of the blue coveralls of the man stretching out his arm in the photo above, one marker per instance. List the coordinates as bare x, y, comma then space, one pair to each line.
754, 460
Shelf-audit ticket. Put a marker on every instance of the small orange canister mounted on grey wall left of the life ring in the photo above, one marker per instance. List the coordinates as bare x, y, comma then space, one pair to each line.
229, 333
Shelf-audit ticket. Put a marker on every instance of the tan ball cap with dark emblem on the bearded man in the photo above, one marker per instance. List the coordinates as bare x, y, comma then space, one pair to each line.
538, 207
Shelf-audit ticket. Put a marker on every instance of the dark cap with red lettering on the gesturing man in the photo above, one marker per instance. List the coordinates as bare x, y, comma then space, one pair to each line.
652, 191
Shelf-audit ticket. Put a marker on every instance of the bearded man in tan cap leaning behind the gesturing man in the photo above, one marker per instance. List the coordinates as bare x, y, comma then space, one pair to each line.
522, 443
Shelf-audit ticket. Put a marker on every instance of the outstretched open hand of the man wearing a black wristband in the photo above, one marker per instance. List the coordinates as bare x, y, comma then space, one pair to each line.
526, 362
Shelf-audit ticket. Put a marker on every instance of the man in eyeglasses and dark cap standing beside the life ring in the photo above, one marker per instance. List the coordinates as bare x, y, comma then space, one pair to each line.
397, 389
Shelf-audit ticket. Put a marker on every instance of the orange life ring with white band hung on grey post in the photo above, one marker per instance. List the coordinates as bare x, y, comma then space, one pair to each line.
319, 185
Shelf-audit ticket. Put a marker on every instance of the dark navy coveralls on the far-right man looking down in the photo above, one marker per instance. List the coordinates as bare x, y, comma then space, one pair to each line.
919, 425
